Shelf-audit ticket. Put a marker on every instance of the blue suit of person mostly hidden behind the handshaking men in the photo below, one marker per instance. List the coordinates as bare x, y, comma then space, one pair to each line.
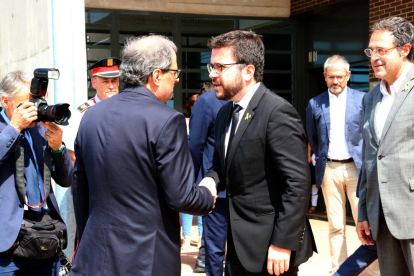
201, 140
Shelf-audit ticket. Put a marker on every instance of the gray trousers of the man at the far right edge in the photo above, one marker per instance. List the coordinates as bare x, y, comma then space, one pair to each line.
396, 257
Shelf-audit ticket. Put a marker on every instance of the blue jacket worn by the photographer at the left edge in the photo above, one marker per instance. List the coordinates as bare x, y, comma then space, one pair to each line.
11, 209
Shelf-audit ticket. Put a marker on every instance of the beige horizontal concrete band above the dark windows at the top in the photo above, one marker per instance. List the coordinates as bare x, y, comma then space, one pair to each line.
260, 8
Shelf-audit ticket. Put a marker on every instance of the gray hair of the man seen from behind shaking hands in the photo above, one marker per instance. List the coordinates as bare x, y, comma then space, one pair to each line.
139, 61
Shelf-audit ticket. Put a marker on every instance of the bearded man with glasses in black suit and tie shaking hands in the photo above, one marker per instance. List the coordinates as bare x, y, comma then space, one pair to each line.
260, 159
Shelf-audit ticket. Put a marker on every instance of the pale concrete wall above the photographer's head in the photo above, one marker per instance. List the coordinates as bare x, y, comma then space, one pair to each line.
25, 35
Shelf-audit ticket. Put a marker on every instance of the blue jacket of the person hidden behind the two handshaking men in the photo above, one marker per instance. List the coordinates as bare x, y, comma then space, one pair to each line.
201, 138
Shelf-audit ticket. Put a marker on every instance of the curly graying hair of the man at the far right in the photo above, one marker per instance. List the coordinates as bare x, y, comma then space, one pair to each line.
402, 30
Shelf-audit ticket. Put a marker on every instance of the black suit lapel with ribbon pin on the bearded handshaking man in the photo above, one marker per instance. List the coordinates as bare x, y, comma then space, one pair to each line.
244, 123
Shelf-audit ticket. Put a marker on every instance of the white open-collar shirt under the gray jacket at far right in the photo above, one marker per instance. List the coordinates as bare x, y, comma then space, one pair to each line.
387, 100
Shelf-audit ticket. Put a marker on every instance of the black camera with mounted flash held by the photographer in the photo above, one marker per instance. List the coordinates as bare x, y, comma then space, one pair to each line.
58, 113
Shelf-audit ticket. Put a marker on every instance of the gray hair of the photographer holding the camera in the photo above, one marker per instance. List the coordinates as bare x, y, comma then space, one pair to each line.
13, 82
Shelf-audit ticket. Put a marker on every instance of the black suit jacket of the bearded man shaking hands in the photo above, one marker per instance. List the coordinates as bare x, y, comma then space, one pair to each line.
267, 180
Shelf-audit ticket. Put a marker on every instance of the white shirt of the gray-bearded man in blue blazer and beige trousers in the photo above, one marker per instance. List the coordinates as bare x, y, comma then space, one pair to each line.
338, 149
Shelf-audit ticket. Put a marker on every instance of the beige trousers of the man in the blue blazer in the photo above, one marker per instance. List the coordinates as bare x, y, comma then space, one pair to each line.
340, 179
